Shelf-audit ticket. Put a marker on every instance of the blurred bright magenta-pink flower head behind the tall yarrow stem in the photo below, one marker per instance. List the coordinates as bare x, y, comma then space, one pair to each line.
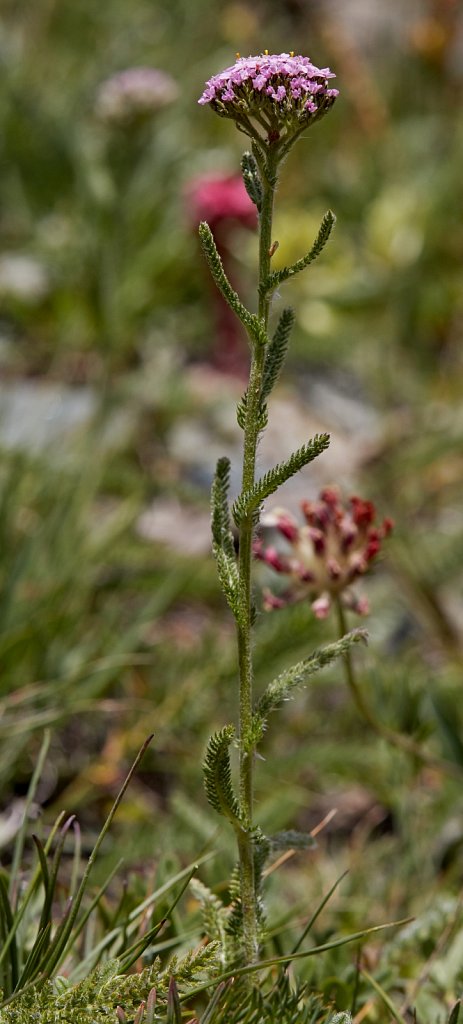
221, 198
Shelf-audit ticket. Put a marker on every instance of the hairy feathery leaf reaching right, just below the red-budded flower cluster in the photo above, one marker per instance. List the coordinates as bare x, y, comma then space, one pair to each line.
281, 688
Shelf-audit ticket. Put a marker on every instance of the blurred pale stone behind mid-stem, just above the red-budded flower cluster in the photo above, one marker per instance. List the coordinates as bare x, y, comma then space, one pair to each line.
356, 431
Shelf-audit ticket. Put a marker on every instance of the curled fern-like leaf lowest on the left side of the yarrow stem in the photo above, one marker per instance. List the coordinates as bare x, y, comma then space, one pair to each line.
218, 777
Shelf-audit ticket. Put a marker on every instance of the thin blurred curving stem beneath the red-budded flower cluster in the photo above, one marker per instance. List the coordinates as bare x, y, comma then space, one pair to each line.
395, 739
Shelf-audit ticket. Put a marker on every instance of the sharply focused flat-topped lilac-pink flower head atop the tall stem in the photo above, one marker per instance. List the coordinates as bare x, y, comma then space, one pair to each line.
273, 97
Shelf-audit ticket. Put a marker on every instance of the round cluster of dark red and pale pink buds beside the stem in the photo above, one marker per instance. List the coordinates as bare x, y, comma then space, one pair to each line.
323, 558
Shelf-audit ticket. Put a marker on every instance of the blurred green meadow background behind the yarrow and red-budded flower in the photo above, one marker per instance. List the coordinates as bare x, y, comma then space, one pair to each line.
119, 374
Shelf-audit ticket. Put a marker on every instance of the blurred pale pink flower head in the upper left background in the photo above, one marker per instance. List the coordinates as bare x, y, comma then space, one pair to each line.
135, 96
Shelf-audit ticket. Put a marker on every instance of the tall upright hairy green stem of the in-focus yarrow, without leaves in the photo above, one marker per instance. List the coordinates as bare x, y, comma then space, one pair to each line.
251, 433
